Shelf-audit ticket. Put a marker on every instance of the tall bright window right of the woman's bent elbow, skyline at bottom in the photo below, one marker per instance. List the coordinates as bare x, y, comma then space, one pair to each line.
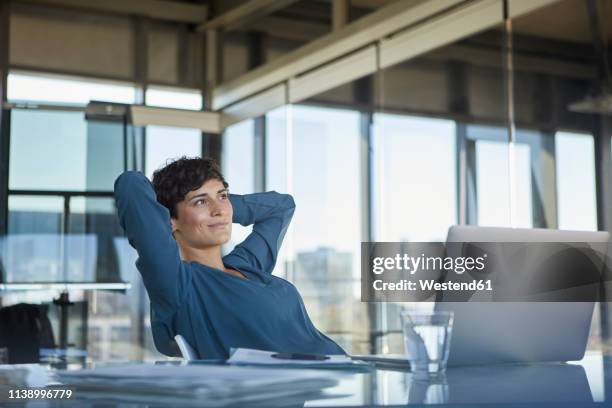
321, 249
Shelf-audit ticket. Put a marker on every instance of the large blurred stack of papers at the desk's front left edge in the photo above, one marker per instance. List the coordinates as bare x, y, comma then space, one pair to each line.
198, 385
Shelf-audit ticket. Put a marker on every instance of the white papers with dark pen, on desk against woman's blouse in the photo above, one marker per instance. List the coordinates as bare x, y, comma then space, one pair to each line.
244, 356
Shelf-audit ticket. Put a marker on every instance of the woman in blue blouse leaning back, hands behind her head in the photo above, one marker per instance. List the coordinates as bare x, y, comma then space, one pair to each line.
178, 225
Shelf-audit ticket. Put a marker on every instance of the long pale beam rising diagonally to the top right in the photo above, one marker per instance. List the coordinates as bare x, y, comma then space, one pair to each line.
424, 24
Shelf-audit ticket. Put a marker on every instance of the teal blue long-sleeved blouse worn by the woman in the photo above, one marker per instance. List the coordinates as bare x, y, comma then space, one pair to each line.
212, 309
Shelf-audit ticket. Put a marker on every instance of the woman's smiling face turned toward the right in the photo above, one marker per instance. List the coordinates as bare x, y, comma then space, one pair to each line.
204, 217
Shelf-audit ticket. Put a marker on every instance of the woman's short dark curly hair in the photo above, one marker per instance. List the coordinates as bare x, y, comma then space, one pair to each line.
177, 178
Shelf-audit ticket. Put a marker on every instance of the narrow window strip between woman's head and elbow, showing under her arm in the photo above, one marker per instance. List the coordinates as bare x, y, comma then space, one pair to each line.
238, 169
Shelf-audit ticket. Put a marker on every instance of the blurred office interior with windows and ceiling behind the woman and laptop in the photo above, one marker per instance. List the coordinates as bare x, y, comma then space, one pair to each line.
386, 120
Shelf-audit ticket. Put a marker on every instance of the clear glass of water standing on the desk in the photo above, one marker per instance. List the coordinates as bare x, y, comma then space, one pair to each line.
427, 339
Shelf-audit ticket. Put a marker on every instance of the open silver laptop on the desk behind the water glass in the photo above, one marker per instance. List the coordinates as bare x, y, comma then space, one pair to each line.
501, 332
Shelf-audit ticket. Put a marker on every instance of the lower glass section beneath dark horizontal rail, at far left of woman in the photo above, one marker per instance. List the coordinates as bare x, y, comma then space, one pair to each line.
37, 249
